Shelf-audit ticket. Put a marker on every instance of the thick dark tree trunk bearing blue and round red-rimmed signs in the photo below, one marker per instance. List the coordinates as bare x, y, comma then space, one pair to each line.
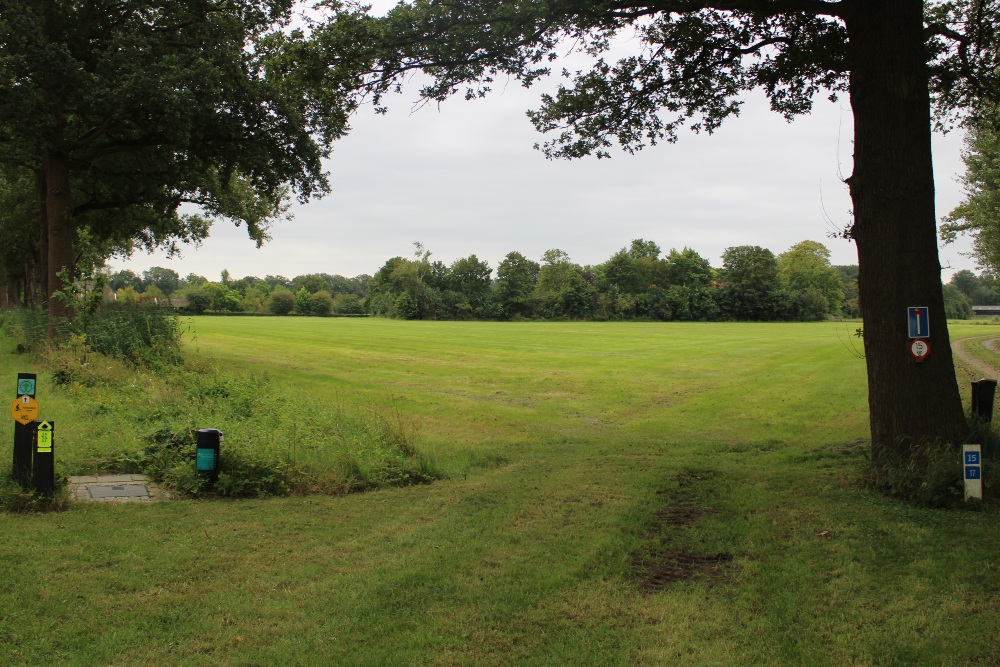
895, 228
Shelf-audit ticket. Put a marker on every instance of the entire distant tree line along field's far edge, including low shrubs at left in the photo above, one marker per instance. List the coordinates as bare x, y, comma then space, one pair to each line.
637, 282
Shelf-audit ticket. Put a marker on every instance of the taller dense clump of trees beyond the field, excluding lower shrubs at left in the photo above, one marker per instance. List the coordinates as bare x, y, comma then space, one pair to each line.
635, 282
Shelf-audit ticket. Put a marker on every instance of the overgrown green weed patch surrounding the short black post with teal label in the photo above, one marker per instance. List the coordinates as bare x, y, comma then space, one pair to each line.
277, 442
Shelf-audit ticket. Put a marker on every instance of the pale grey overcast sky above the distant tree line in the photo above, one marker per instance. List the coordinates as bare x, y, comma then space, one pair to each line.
464, 179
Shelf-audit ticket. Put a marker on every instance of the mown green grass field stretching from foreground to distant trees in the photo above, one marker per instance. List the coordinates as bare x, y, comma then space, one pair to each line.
617, 494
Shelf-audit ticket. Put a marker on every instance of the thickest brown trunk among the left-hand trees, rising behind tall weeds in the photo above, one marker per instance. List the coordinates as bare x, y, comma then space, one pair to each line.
59, 213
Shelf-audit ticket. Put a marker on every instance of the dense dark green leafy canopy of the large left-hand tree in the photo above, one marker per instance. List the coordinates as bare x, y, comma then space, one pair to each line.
130, 109
